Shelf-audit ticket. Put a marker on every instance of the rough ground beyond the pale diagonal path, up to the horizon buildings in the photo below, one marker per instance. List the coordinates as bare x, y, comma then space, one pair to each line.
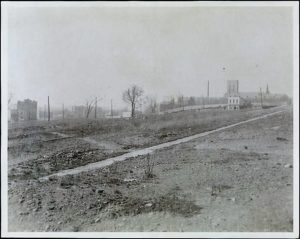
46, 149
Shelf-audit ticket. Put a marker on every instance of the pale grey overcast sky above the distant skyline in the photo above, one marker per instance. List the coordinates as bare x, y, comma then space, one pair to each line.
74, 54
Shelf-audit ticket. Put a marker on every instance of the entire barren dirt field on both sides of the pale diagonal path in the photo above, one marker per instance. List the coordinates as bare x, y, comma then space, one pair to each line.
239, 179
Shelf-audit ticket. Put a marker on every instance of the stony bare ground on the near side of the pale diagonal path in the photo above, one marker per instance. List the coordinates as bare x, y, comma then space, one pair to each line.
236, 180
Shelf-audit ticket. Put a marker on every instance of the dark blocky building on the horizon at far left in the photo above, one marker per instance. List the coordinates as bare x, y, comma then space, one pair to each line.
26, 110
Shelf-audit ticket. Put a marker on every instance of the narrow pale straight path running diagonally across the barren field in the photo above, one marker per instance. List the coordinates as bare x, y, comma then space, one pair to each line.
150, 150
